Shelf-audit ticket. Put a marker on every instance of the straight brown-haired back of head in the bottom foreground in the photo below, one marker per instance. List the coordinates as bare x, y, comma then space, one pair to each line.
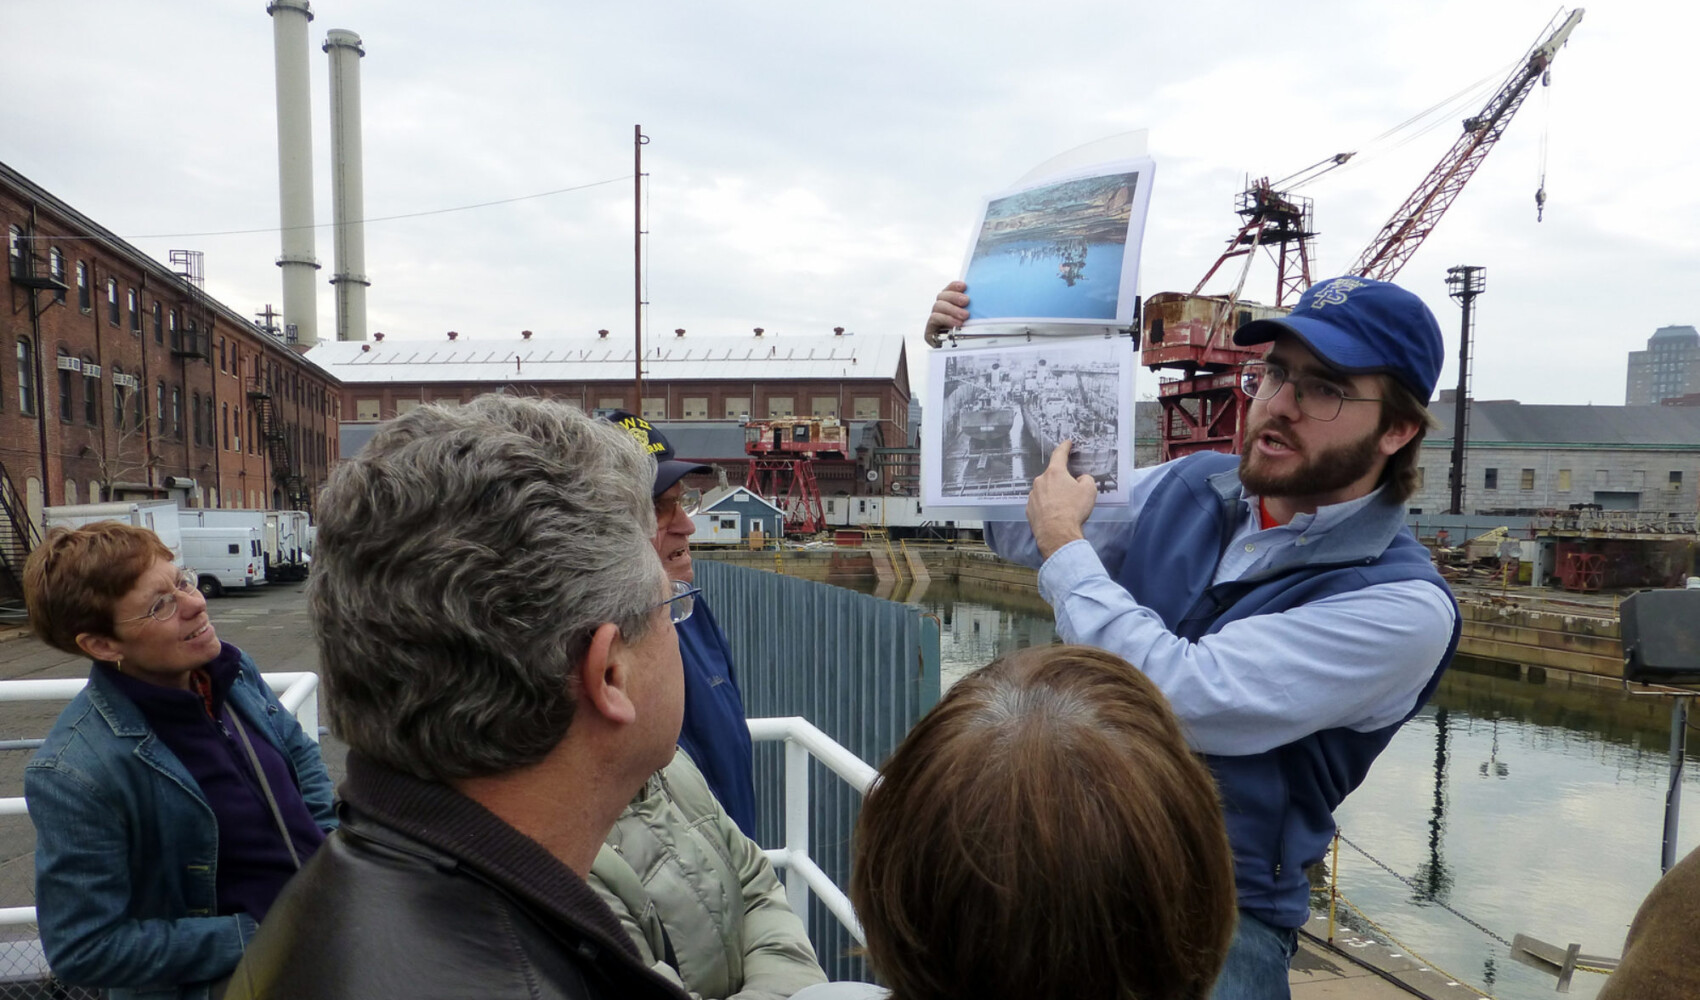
1045, 832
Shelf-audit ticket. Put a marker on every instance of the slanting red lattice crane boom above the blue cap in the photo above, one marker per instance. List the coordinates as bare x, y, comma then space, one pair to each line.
1415, 220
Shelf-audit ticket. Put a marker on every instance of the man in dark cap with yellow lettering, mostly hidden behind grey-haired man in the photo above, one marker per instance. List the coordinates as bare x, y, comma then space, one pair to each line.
715, 734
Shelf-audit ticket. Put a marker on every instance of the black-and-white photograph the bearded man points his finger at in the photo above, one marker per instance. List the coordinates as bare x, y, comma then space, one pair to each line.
1007, 409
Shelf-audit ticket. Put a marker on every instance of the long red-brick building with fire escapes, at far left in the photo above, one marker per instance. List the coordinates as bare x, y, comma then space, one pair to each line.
125, 380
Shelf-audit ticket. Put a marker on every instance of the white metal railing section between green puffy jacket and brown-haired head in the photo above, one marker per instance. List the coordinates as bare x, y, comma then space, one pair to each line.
803, 741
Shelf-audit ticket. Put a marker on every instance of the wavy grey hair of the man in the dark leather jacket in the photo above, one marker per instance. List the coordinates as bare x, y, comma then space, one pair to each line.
463, 560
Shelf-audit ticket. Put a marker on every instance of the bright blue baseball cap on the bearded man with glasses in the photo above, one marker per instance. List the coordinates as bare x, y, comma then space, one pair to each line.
1363, 327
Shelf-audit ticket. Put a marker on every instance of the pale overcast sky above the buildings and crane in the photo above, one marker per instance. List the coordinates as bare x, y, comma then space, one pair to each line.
822, 166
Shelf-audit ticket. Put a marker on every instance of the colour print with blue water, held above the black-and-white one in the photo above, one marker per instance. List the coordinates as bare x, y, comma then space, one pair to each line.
1063, 251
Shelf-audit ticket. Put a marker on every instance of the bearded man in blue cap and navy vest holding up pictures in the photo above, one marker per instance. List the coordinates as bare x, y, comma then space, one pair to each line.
1278, 598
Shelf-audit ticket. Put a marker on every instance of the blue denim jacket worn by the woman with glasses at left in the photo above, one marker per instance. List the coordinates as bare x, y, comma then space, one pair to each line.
127, 844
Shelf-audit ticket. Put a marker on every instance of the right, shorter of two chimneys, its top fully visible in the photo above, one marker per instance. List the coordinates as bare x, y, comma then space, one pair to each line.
348, 196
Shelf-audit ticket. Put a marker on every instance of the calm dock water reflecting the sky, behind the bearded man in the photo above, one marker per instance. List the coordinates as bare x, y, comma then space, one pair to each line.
1527, 805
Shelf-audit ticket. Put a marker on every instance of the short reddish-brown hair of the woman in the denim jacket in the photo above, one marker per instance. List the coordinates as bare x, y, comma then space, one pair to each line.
77, 576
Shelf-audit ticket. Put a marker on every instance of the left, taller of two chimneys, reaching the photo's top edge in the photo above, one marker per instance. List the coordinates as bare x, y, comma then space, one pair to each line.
295, 168
